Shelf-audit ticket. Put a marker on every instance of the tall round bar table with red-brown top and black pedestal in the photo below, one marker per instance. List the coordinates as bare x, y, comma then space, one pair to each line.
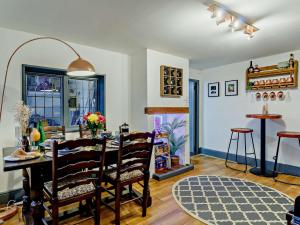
262, 170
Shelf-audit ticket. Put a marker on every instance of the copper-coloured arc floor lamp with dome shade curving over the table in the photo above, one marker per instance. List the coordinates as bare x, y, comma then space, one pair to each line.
78, 67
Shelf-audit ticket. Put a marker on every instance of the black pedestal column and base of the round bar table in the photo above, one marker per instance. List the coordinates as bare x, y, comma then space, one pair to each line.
262, 171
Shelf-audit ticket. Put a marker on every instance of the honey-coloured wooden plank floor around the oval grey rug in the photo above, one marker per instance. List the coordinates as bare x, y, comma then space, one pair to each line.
164, 210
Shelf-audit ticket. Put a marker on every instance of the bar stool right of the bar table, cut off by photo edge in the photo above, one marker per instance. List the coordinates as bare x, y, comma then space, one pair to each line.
284, 134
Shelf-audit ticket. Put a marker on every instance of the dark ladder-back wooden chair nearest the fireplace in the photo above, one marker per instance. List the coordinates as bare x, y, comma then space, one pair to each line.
133, 164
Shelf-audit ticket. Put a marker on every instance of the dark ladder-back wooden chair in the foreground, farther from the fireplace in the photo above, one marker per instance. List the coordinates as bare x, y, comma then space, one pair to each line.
75, 176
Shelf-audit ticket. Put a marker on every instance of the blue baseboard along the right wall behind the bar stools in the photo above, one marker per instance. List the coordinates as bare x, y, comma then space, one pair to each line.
283, 168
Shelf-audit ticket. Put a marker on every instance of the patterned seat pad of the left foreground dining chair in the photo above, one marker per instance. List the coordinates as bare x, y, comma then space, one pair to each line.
71, 192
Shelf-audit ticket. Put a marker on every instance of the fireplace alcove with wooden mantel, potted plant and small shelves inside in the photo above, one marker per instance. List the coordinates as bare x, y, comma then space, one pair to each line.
171, 152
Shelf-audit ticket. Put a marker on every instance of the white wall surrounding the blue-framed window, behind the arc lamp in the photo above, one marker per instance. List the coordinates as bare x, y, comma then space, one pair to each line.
48, 53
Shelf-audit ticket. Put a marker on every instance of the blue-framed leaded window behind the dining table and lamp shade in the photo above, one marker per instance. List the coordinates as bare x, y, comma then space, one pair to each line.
59, 99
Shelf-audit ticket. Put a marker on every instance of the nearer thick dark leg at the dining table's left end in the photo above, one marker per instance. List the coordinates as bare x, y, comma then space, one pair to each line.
36, 193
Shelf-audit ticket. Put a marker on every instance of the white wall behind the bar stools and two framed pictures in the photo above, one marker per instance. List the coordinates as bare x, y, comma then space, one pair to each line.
222, 113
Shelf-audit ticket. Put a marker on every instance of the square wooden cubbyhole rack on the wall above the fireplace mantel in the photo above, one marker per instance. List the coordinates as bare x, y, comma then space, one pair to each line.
170, 82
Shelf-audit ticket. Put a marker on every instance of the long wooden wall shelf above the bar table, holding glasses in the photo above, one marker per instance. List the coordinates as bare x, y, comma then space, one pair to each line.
272, 77
